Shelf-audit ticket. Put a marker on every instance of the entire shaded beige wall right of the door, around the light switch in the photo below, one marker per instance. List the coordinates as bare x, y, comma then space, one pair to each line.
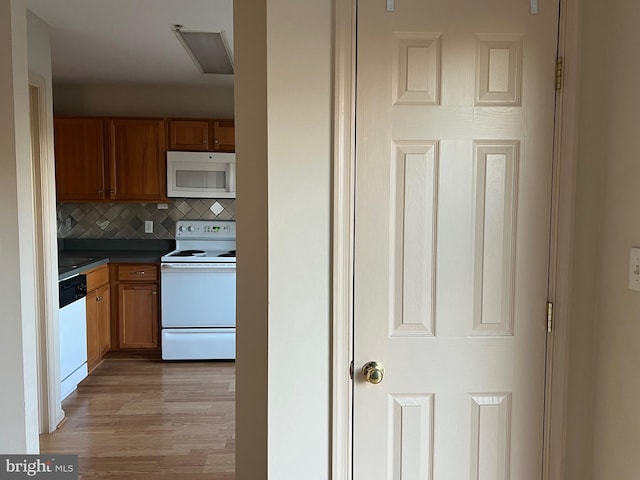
604, 427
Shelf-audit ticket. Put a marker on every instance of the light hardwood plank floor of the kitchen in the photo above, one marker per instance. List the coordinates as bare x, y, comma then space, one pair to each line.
147, 419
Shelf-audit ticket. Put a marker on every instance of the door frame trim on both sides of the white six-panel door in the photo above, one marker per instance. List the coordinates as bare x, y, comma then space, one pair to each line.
562, 215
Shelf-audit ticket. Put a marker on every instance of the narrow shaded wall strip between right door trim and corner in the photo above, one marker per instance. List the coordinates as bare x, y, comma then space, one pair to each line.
587, 239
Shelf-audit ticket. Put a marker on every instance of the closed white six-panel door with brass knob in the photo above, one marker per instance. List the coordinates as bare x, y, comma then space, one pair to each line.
454, 139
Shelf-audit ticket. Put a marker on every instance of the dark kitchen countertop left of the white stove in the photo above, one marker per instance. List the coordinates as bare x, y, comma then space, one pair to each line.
80, 255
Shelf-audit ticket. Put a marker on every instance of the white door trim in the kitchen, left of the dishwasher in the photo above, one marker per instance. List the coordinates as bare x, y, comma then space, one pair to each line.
46, 254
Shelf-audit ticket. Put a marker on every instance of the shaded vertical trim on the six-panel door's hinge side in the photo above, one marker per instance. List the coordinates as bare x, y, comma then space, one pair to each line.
565, 169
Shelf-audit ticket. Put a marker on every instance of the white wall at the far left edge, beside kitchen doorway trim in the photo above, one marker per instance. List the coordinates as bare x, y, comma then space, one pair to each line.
18, 402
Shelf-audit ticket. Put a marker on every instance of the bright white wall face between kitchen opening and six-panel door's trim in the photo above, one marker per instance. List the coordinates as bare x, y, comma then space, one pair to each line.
299, 93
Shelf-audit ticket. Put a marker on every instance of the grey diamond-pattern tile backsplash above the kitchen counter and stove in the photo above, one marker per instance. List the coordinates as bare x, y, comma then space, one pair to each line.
126, 220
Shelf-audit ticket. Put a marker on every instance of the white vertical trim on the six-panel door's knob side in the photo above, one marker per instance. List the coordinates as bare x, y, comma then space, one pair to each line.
343, 237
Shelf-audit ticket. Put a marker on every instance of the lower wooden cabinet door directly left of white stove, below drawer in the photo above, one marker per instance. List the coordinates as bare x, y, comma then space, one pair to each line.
138, 319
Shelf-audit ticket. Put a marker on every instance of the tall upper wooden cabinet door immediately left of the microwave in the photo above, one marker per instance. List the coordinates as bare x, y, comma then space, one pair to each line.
137, 160
